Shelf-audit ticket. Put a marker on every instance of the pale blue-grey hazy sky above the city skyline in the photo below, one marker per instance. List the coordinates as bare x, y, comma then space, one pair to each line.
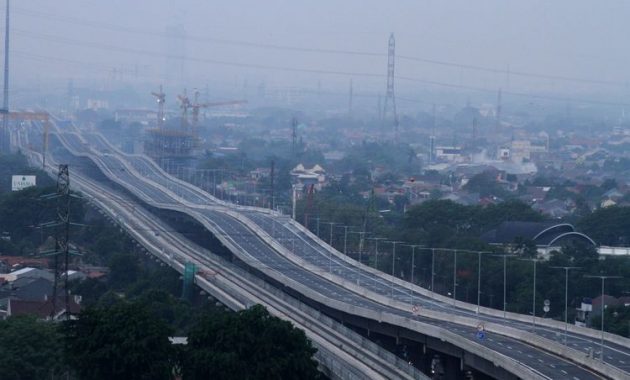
86, 39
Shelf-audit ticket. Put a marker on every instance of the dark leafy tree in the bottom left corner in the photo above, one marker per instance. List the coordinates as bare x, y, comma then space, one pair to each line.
29, 349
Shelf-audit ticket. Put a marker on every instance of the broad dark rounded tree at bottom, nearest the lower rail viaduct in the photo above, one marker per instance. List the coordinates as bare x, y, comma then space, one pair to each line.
250, 344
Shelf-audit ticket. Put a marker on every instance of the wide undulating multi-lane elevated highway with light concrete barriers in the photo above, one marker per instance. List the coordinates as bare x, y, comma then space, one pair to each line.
283, 252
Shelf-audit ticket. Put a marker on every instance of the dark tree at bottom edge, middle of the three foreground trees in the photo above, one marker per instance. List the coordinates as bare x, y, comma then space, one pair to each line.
123, 341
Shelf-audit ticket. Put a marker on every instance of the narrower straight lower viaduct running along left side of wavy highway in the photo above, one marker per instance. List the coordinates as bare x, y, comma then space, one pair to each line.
342, 353
